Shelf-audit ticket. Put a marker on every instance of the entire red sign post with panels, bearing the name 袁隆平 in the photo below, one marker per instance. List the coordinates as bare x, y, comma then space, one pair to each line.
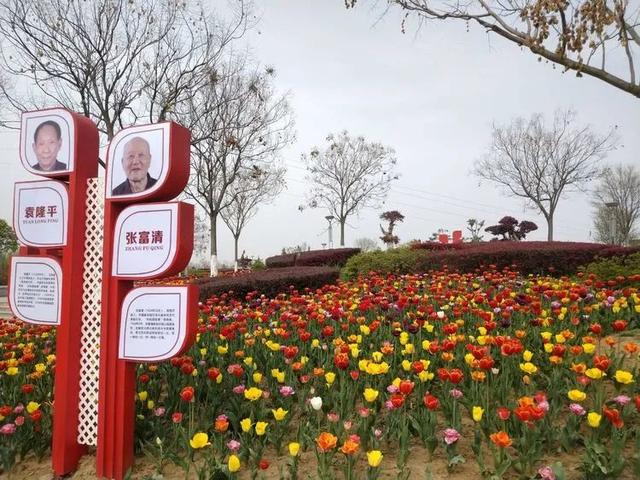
63, 145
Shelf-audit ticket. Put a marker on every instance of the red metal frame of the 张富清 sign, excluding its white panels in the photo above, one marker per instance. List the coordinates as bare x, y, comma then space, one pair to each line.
116, 413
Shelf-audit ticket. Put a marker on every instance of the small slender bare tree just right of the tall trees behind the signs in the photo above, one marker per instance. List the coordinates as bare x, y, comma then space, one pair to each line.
256, 187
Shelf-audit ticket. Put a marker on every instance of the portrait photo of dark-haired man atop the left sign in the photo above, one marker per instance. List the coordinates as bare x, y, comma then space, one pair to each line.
46, 144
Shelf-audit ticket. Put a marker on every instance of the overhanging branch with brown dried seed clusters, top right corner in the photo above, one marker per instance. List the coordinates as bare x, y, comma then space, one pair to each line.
596, 38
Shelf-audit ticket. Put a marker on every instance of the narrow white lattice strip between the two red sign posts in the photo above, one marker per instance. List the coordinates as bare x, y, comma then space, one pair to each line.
91, 296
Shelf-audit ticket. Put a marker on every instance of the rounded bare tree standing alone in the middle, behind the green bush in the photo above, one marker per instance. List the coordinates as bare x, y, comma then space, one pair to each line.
350, 174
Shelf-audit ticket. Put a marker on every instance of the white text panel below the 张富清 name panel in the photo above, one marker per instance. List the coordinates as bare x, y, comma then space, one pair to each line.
153, 325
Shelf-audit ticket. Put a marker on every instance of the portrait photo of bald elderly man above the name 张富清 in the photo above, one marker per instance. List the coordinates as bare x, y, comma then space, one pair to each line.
136, 163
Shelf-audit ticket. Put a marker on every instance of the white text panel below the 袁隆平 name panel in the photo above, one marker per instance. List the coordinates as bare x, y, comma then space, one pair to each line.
35, 290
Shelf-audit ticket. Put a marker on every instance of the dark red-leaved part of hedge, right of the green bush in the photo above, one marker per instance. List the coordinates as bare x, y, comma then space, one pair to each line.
559, 258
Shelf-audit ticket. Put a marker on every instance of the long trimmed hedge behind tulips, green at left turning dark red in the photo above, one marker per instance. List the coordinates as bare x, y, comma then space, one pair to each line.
559, 258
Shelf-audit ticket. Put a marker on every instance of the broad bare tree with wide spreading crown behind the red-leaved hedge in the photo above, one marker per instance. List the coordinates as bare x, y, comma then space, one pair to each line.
541, 163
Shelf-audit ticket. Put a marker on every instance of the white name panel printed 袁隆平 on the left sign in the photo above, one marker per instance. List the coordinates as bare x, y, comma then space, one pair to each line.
40, 213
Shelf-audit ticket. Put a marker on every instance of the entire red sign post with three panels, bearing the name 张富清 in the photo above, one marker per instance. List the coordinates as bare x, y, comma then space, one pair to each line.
143, 239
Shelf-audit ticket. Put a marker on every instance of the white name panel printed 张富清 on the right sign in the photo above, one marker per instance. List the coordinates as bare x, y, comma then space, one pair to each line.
145, 240
